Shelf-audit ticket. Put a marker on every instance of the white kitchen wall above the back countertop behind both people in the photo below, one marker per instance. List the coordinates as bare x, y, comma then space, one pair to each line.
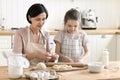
13, 12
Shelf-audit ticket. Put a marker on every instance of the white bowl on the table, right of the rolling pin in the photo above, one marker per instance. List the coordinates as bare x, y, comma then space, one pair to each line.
95, 67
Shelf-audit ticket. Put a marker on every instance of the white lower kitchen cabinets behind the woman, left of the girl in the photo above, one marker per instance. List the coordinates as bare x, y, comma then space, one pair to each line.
6, 44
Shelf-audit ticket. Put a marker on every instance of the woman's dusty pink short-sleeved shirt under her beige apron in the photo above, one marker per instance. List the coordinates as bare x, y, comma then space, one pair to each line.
21, 40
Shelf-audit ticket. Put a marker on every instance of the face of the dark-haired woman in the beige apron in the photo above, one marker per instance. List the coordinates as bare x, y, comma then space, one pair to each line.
38, 21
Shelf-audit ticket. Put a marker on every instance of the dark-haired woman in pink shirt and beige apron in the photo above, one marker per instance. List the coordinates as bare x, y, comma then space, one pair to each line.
32, 41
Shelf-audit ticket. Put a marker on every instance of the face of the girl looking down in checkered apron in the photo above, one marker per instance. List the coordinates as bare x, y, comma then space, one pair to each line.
72, 25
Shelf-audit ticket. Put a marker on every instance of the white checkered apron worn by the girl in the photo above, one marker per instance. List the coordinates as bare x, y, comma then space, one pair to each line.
72, 48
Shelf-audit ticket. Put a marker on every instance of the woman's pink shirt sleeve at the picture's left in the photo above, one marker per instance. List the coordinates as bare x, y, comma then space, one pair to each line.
18, 43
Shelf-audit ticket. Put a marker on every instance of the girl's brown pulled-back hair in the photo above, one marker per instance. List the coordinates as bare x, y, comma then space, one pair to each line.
72, 14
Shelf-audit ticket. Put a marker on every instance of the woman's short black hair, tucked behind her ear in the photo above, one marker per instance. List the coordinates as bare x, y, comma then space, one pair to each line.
35, 10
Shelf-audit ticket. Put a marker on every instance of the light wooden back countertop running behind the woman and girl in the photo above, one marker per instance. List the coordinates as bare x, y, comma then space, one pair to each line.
52, 32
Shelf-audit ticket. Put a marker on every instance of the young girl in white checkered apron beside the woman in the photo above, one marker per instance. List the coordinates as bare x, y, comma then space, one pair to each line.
71, 43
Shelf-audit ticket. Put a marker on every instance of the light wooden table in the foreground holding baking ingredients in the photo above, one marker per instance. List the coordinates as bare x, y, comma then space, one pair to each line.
112, 73
